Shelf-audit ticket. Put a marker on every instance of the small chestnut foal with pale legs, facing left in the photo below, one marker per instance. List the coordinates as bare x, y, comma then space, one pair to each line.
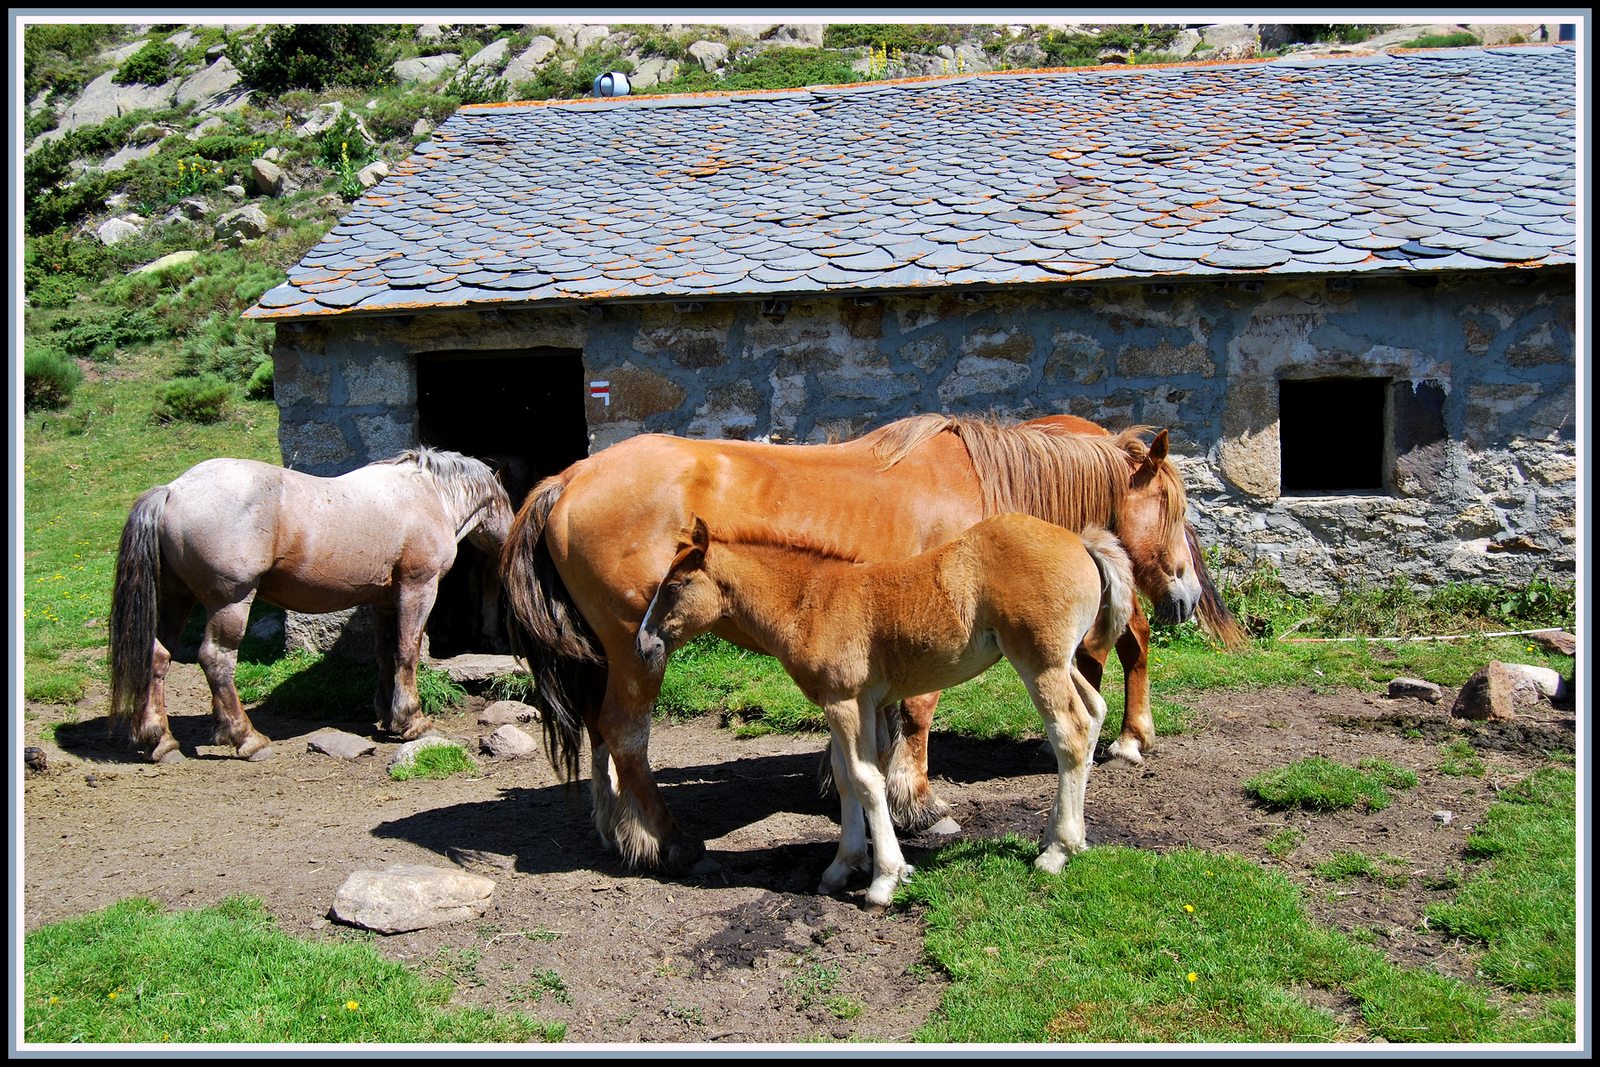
857, 637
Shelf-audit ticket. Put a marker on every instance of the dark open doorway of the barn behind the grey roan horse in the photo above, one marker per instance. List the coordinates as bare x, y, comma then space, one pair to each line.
519, 412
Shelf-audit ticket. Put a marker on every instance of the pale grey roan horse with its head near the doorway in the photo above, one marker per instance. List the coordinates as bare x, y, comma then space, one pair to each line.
228, 529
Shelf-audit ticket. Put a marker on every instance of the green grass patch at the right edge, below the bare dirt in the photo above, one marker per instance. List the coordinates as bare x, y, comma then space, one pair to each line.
1522, 901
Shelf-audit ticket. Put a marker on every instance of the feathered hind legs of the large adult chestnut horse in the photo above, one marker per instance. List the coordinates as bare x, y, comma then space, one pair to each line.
641, 825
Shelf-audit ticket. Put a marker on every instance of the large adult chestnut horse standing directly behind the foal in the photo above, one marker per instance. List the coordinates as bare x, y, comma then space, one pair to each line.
591, 543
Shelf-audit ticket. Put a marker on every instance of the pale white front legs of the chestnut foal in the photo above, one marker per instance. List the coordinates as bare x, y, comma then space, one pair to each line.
857, 761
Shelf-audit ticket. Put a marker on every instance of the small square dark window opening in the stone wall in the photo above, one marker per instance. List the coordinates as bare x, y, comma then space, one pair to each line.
1332, 436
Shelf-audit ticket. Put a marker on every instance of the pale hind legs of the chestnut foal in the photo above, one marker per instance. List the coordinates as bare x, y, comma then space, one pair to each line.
1073, 713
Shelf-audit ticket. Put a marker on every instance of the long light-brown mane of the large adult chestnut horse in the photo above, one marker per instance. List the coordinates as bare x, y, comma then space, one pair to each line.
1046, 471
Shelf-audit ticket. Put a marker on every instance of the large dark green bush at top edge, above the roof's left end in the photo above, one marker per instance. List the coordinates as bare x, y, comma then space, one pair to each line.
314, 57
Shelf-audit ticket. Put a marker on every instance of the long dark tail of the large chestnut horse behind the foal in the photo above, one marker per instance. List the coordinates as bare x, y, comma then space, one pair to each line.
546, 629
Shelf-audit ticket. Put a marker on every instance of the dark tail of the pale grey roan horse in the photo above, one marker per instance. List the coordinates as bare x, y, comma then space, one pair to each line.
135, 607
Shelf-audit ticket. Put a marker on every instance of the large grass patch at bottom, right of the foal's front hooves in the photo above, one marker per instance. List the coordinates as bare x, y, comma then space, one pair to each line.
1183, 948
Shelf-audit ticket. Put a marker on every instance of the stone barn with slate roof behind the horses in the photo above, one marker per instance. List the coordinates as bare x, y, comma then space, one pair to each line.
1345, 284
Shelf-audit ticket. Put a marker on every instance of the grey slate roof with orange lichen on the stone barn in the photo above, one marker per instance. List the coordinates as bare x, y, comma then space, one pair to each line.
1431, 161
